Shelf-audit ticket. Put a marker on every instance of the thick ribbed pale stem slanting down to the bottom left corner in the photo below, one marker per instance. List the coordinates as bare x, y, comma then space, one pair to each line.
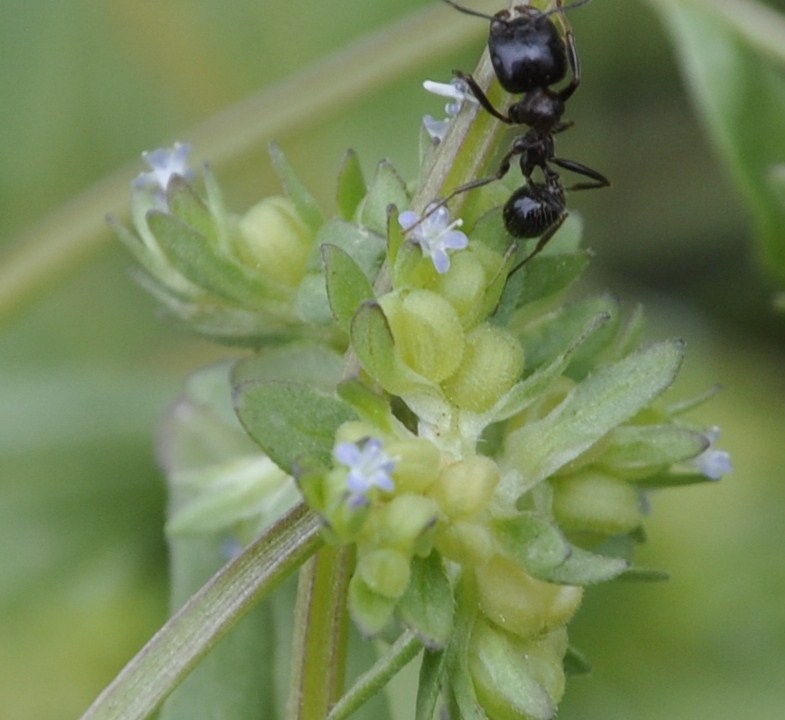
179, 645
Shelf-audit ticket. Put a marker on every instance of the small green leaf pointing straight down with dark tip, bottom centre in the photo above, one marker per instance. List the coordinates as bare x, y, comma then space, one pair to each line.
427, 605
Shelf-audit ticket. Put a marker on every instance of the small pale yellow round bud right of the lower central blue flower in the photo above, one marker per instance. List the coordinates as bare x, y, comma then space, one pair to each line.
464, 488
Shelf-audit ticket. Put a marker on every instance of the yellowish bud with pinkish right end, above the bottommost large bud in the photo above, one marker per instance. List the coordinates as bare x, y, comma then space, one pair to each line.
521, 604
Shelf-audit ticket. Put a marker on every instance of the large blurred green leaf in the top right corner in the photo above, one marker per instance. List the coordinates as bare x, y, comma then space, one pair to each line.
733, 60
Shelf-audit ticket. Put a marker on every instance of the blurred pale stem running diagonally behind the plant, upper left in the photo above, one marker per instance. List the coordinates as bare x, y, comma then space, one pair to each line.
70, 235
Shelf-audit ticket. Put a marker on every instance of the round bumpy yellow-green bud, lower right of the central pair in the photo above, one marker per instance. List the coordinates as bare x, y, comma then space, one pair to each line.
492, 363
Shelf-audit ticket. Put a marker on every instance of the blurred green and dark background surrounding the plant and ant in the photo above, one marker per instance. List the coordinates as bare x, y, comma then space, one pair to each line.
87, 366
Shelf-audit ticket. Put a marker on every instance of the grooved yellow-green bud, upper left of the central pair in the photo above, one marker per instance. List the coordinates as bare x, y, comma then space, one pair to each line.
427, 332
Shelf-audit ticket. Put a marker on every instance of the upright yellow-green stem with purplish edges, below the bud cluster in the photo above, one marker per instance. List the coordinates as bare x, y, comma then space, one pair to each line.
321, 625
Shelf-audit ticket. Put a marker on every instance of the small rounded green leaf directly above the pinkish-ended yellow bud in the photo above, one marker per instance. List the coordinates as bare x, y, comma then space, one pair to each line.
532, 541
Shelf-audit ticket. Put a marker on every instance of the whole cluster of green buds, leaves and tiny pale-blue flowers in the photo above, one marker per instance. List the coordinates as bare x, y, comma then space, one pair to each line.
483, 440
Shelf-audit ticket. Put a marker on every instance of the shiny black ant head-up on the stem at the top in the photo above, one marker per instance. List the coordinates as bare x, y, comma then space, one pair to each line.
529, 56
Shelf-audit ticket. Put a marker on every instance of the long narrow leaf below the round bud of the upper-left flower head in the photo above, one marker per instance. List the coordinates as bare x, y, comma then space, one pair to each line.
195, 257
